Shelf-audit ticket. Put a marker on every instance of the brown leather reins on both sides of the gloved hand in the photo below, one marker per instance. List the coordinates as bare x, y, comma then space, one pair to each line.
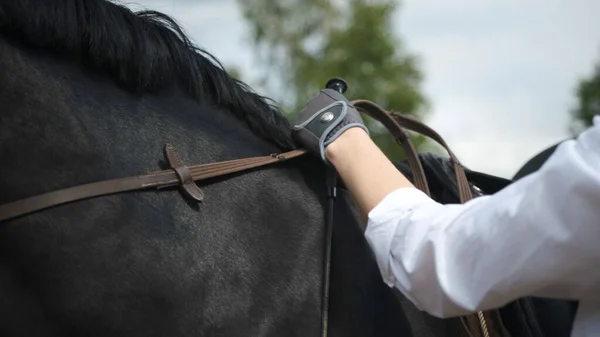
186, 177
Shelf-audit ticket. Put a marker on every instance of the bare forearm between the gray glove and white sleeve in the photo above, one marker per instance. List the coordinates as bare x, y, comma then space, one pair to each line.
366, 171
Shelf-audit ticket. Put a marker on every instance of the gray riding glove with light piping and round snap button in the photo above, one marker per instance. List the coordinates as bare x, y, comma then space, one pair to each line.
323, 119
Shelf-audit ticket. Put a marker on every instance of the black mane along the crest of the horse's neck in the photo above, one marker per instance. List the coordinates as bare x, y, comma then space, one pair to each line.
144, 51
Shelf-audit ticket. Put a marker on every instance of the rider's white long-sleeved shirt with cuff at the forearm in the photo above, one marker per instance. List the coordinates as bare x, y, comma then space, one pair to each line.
539, 236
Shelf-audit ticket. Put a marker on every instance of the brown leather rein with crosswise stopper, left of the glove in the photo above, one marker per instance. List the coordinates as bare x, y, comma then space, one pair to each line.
178, 175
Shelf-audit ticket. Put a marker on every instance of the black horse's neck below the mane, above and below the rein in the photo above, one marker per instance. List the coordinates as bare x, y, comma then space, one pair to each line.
256, 240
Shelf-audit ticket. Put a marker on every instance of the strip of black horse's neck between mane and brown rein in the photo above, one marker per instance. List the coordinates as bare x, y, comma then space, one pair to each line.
67, 116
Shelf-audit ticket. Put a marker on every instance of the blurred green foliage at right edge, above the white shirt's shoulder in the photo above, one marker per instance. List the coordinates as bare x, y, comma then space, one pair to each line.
588, 101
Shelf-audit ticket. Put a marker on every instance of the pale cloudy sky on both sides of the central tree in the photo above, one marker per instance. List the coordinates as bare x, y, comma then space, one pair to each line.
500, 74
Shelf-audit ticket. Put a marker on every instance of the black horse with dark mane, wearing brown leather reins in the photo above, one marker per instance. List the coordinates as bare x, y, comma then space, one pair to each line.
90, 91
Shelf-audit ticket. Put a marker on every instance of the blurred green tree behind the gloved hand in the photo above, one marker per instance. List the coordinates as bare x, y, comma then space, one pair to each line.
304, 43
